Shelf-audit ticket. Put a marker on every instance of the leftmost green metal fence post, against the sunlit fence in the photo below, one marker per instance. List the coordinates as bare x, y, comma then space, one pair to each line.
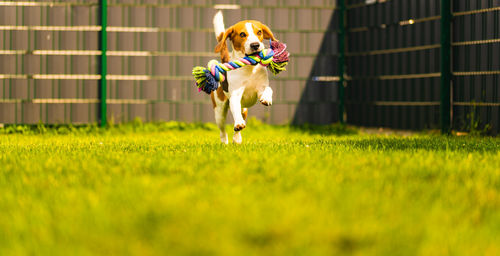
104, 65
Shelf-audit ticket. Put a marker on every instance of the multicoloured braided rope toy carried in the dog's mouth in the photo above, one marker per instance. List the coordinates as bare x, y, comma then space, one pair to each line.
275, 59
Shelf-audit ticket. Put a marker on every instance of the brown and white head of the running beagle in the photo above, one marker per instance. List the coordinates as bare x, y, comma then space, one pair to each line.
246, 36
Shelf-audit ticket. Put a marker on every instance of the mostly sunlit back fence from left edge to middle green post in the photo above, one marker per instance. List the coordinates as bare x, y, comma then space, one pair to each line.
49, 59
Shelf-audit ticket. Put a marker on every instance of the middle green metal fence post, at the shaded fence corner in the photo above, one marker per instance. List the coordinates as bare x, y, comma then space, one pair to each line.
341, 58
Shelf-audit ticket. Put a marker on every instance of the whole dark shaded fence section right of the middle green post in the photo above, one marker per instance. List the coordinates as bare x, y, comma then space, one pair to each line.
397, 64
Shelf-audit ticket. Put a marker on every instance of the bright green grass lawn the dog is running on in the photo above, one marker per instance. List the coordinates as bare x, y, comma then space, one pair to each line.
172, 189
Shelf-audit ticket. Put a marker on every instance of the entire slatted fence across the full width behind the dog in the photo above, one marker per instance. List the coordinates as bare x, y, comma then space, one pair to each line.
51, 55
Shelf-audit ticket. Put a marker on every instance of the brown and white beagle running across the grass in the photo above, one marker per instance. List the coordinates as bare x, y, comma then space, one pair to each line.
244, 86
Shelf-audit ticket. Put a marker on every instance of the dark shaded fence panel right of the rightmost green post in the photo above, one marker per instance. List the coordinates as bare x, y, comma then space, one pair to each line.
476, 65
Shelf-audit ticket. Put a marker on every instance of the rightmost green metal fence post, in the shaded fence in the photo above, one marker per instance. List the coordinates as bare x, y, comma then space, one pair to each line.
445, 66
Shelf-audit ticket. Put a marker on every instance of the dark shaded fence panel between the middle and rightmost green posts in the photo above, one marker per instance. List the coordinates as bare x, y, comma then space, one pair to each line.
393, 64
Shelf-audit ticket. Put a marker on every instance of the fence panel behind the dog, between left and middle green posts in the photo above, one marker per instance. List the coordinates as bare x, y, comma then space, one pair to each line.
167, 40
